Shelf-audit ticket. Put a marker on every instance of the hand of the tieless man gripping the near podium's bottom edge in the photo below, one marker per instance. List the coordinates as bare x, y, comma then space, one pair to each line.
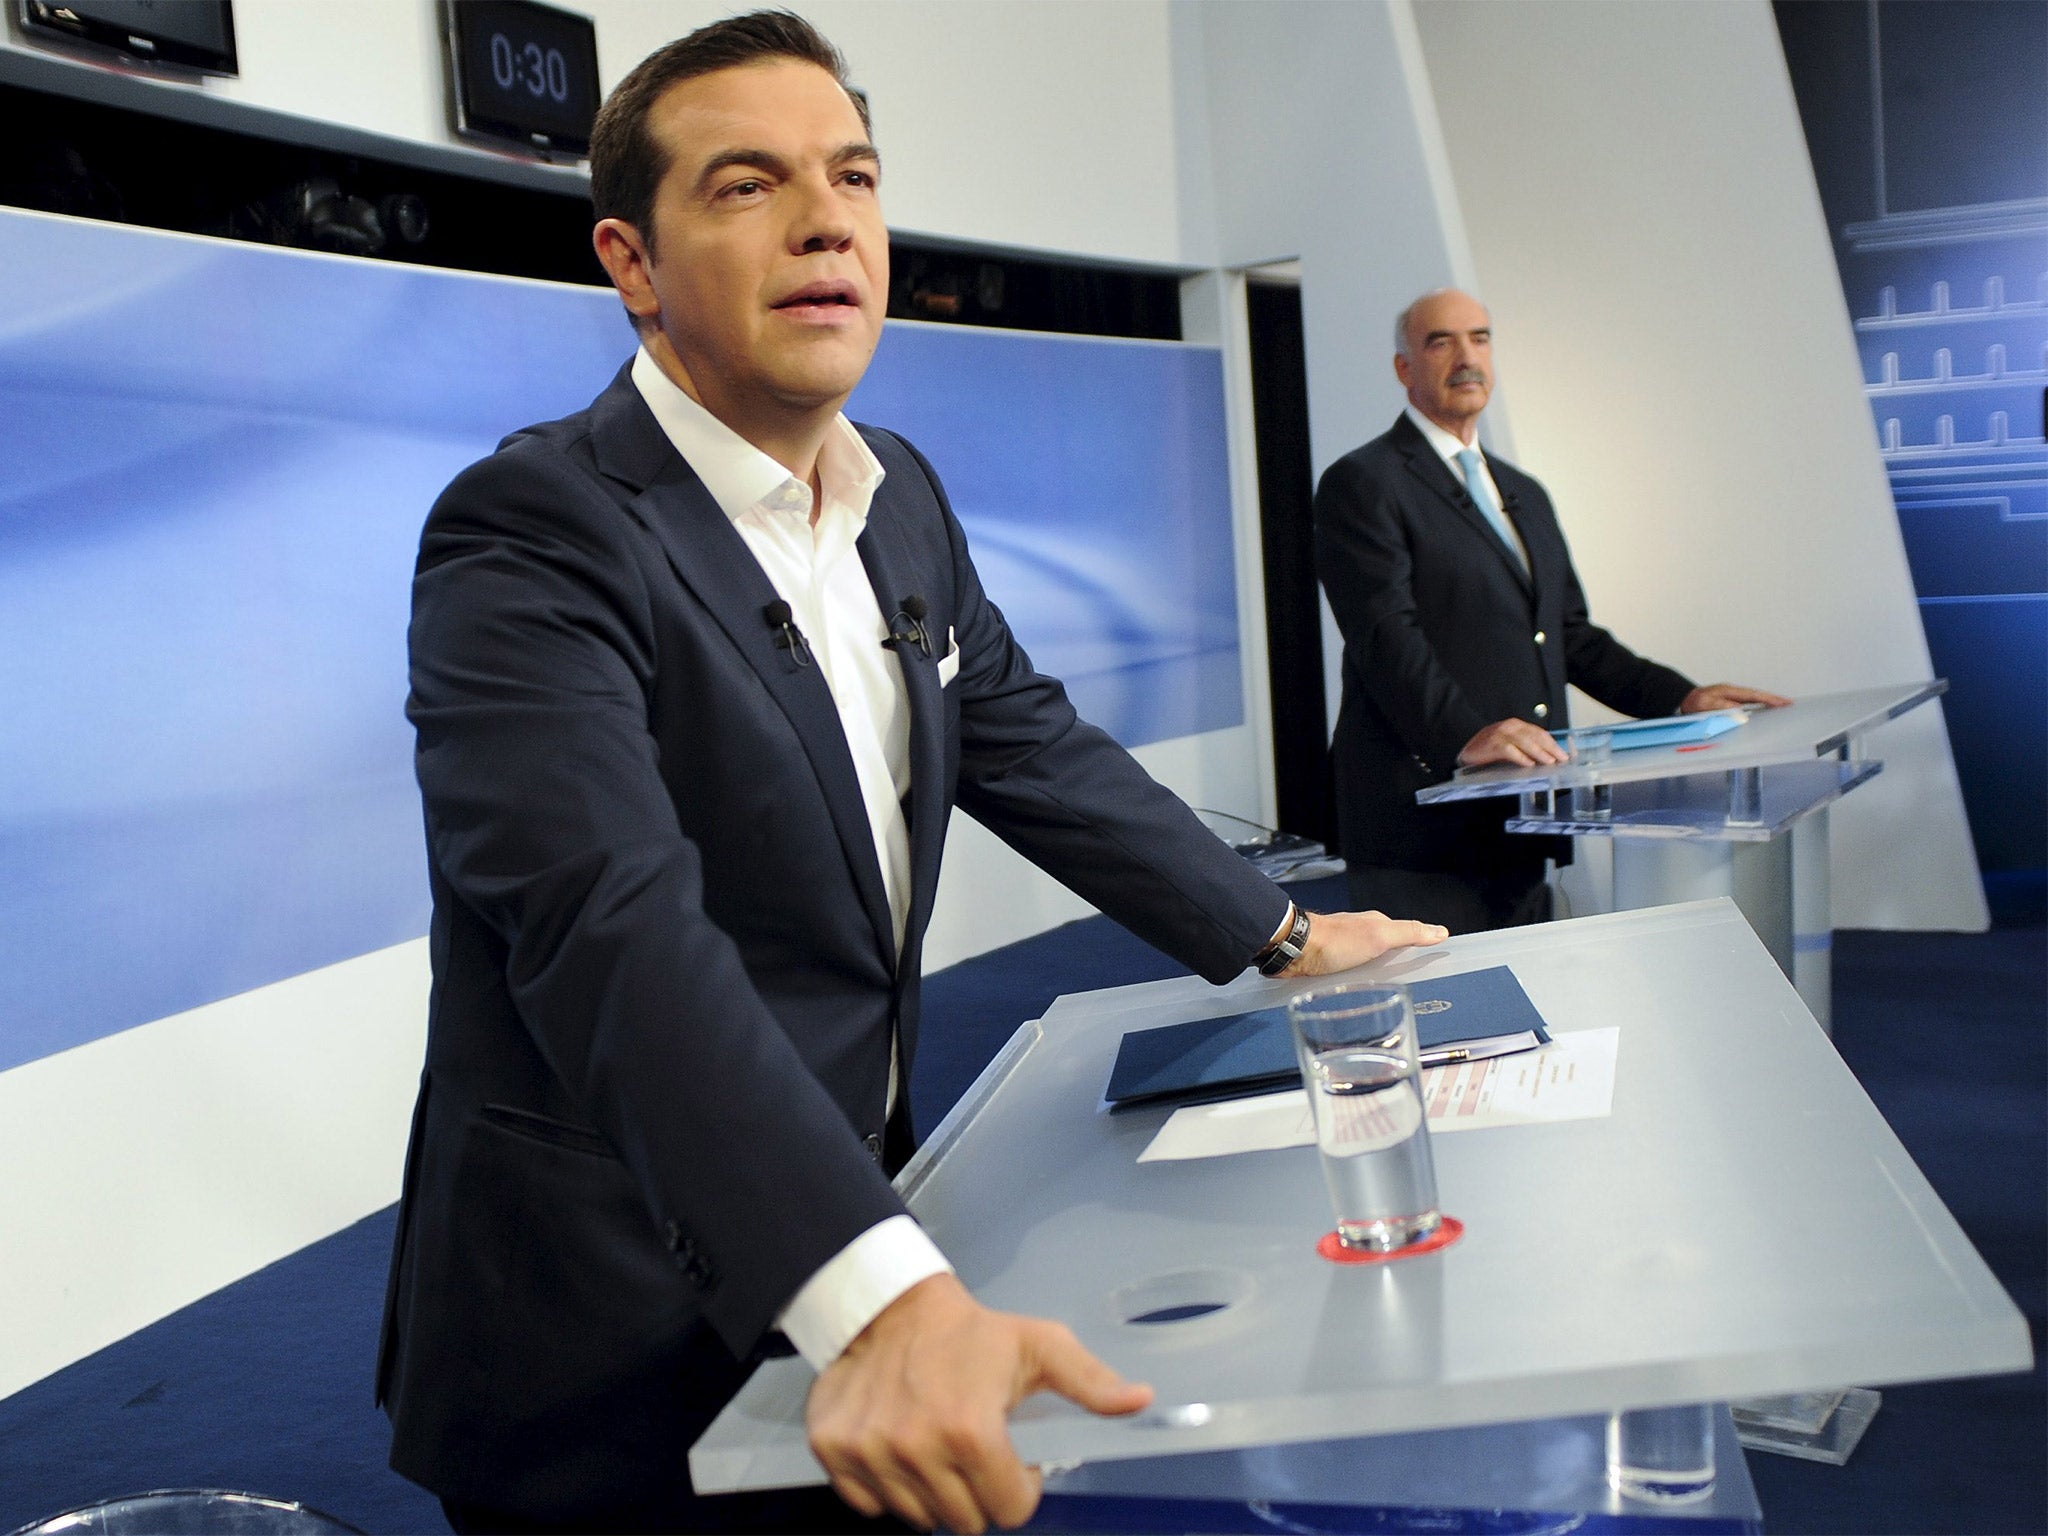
914, 1416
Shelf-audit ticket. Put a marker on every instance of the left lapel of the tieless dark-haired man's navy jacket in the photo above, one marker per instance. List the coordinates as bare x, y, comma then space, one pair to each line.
716, 564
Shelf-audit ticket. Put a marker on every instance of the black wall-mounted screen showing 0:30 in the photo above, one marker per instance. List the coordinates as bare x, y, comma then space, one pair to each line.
523, 75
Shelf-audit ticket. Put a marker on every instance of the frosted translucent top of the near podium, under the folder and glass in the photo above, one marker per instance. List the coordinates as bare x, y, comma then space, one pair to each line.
1742, 1224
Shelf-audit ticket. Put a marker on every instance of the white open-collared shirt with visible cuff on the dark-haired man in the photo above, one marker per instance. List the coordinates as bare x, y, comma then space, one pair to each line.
818, 572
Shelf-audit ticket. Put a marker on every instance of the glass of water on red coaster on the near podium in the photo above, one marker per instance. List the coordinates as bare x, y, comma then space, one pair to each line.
1363, 1070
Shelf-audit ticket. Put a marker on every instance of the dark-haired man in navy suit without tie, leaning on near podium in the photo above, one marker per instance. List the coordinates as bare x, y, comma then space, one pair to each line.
697, 679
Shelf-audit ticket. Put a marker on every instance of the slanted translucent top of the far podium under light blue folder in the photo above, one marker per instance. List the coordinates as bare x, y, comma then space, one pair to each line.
1805, 730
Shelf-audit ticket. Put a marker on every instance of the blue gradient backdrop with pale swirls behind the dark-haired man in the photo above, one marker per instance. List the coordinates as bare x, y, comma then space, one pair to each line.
214, 466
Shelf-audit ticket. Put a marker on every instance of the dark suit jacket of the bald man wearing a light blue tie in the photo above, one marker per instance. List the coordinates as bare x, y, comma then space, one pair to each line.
1443, 636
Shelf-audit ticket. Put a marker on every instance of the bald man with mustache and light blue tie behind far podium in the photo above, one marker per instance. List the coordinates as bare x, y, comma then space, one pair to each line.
1463, 624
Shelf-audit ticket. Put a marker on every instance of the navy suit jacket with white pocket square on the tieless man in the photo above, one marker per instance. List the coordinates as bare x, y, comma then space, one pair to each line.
665, 966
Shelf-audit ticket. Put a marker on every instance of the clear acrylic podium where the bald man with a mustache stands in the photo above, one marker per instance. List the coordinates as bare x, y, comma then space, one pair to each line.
1742, 816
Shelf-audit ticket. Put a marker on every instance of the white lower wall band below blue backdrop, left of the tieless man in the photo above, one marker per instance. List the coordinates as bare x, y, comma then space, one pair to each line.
161, 1164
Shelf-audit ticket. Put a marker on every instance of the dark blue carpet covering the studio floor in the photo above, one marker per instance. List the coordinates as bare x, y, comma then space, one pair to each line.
267, 1383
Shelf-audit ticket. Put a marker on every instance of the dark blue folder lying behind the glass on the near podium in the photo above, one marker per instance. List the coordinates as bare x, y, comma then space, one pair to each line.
1457, 1019
